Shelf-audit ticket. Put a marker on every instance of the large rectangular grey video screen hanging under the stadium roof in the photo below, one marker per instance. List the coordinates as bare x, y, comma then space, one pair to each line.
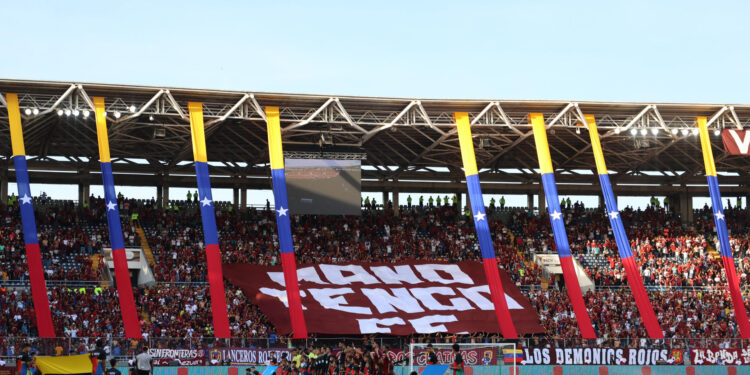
323, 186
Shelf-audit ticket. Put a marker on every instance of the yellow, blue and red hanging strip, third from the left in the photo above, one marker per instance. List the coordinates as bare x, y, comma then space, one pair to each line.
208, 216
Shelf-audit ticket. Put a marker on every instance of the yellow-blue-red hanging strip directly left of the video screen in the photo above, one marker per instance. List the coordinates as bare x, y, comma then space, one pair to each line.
283, 224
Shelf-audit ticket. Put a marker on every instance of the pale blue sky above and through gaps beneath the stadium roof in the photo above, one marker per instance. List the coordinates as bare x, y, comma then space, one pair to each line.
655, 51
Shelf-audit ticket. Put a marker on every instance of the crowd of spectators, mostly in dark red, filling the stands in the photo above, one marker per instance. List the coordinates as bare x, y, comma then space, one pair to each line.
670, 254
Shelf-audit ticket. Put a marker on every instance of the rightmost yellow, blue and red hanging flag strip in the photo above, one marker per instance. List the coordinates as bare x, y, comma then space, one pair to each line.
721, 230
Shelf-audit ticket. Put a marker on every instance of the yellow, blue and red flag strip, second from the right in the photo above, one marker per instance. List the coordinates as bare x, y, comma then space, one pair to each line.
632, 270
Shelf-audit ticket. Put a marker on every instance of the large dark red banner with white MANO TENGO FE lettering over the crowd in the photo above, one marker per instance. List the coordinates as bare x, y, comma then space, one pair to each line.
402, 299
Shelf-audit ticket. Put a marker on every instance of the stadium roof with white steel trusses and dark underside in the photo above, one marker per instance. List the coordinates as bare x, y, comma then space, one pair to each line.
409, 143
